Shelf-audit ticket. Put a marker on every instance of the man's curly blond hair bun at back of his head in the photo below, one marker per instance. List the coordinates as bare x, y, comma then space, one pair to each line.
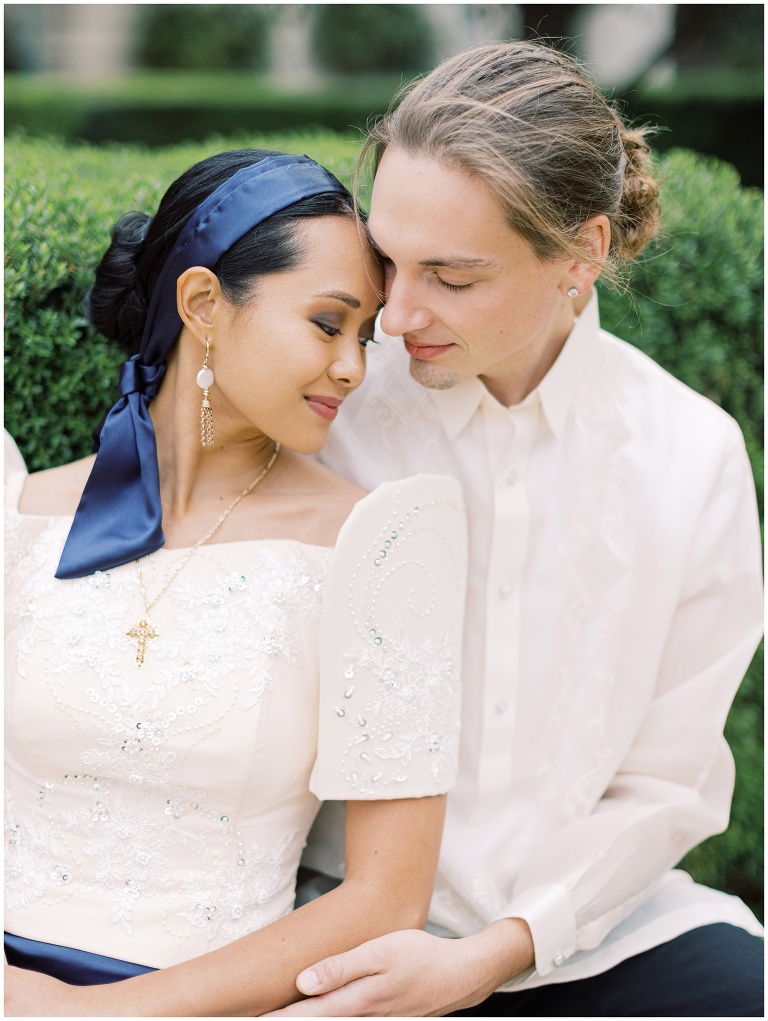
639, 212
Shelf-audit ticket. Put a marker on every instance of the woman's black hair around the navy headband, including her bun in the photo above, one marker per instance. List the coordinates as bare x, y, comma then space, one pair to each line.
117, 304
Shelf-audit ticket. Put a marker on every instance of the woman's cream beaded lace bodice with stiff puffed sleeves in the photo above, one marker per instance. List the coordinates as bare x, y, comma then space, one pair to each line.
156, 814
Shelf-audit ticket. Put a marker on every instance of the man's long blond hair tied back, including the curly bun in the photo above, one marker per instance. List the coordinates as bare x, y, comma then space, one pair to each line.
526, 120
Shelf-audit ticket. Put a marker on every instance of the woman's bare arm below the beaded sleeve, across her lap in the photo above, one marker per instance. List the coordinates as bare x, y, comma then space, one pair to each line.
392, 857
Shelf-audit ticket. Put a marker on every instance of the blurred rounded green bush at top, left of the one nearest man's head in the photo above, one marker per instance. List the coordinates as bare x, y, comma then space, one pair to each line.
206, 37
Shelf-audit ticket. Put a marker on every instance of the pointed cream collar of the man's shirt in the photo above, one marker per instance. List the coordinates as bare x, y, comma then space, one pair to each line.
457, 406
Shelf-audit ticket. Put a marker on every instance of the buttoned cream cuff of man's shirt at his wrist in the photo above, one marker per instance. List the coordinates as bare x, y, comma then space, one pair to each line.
552, 920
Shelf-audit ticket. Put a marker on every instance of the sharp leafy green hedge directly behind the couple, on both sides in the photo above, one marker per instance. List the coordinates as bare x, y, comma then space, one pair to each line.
695, 306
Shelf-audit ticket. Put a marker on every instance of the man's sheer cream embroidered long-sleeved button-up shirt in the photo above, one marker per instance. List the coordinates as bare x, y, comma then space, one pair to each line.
614, 605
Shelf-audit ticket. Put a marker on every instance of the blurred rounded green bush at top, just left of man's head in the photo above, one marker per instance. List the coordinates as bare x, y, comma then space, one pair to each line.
366, 37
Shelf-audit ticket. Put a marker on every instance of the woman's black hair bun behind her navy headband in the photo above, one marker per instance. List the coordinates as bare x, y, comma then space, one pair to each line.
117, 304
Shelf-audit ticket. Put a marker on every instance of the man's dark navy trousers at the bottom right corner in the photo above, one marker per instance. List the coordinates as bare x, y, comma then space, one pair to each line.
714, 971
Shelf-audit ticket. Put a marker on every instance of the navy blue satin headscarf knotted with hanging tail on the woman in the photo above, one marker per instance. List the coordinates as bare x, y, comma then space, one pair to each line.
120, 517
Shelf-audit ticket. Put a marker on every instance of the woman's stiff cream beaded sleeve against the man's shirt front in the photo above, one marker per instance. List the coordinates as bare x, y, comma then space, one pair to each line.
392, 644
